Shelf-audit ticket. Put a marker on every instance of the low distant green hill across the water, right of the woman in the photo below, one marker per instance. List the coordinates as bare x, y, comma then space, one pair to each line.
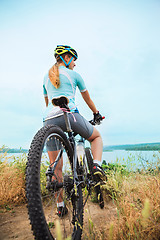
134, 147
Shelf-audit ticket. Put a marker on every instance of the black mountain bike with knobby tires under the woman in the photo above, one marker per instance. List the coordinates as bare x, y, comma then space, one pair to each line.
45, 185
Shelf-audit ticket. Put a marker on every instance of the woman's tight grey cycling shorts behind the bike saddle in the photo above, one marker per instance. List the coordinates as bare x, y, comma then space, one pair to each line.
78, 124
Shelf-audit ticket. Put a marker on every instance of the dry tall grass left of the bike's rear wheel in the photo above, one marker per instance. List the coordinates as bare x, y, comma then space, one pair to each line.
12, 179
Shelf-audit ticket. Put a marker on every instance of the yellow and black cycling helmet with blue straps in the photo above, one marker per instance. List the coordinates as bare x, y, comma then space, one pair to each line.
61, 49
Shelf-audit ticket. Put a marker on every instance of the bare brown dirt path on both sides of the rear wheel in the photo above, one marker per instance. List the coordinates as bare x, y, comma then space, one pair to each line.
14, 224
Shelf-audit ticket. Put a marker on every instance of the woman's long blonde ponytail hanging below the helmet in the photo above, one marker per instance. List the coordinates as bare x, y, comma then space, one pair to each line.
54, 75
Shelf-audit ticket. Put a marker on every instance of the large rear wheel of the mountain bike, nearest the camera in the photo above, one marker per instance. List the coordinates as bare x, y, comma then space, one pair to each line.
44, 191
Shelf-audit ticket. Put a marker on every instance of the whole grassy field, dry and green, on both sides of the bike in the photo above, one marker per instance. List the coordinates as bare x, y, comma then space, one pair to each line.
136, 196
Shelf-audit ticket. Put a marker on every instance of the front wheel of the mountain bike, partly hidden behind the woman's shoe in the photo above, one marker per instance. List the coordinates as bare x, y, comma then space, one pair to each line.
97, 188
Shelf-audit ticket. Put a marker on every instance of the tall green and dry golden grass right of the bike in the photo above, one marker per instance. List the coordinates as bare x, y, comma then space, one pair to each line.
137, 198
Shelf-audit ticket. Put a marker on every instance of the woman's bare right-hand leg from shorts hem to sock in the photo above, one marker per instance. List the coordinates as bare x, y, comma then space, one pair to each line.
96, 145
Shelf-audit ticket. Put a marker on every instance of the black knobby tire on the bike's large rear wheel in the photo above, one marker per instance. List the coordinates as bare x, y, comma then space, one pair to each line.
40, 228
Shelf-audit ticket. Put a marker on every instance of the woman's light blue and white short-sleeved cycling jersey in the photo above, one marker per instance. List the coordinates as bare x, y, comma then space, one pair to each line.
69, 80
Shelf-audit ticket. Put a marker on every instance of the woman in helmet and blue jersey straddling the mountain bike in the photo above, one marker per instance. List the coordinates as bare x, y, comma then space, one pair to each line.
62, 80
